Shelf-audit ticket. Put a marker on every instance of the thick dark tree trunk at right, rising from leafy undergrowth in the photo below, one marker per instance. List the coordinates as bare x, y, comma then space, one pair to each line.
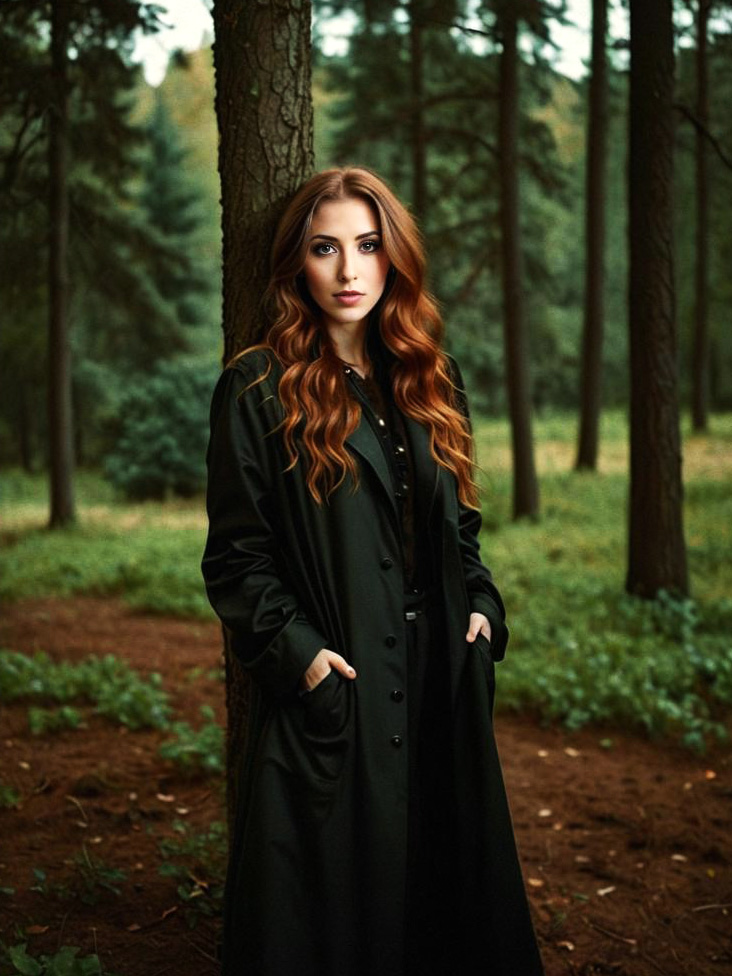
656, 551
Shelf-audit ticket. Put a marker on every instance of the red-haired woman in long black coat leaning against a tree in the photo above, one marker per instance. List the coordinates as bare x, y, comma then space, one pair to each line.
372, 835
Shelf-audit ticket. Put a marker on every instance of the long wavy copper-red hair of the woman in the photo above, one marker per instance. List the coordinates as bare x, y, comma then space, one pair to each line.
319, 412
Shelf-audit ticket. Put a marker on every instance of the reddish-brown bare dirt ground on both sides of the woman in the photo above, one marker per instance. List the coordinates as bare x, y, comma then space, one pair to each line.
626, 844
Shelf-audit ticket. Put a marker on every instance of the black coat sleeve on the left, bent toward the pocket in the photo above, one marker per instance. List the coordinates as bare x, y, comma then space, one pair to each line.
245, 580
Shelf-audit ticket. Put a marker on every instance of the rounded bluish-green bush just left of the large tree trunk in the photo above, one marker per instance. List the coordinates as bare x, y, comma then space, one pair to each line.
161, 433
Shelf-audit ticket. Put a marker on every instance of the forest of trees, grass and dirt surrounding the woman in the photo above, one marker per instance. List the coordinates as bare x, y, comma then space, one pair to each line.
579, 240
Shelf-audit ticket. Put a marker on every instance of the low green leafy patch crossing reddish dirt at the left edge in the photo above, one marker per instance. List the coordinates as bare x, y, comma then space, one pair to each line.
117, 691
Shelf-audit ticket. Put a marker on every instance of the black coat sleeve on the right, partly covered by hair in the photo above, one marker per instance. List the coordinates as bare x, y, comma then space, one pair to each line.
483, 594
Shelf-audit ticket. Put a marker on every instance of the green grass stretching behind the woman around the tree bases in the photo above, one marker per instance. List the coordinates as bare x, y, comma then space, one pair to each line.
581, 650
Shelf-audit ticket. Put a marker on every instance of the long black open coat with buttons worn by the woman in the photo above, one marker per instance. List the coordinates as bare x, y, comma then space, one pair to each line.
316, 882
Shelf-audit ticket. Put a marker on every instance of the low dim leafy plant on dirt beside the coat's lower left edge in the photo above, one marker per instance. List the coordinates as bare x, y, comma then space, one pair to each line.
197, 862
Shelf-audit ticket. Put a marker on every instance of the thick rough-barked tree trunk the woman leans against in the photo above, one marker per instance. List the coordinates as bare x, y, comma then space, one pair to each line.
265, 122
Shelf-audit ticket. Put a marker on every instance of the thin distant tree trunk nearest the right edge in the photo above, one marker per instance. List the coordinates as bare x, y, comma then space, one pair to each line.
700, 378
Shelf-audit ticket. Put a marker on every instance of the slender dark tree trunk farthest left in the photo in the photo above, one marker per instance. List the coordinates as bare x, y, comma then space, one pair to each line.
60, 413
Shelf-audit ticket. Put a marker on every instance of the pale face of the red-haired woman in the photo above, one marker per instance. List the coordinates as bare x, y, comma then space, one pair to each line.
346, 265
